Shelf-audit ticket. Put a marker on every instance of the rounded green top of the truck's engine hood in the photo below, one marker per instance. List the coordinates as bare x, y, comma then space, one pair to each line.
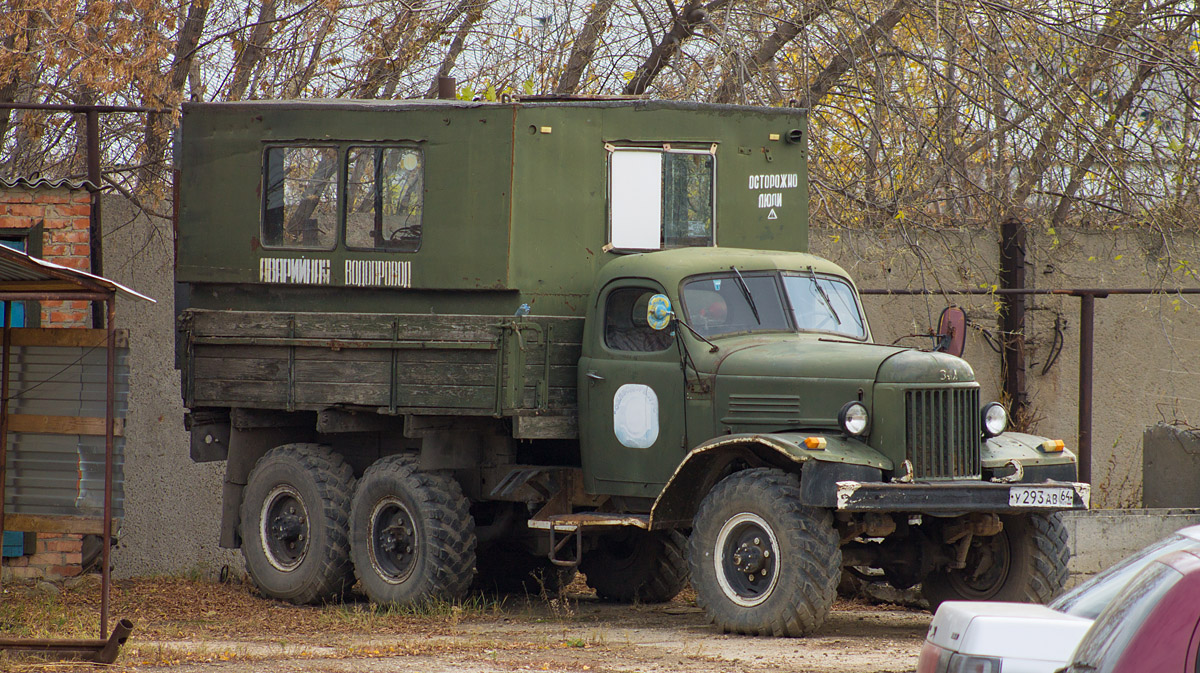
805, 357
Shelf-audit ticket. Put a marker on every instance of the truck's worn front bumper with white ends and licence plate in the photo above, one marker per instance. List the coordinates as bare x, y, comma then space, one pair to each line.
956, 498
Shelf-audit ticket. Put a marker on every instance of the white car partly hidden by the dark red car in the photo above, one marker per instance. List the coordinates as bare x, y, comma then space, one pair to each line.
989, 638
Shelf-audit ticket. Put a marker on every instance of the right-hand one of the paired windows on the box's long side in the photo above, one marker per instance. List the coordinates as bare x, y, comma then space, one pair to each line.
385, 189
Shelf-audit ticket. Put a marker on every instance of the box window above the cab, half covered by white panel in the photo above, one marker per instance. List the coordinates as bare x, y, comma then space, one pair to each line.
662, 197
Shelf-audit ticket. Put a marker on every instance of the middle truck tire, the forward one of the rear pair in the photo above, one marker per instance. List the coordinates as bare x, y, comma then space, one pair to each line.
412, 536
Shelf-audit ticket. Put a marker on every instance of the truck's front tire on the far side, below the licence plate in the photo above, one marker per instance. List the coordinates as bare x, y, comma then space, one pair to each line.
1036, 552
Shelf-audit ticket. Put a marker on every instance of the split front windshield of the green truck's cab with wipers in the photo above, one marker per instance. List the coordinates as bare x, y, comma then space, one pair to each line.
747, 302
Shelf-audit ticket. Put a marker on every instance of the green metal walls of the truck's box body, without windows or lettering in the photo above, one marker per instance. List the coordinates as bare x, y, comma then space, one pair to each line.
515, 196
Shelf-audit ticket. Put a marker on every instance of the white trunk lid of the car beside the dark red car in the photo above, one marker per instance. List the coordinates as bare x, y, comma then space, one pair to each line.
1024, 632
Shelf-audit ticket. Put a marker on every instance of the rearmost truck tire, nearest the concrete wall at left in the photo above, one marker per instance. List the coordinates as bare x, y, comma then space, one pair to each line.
310, 486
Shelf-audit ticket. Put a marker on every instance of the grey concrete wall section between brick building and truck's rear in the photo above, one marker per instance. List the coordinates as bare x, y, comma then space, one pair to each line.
172, 506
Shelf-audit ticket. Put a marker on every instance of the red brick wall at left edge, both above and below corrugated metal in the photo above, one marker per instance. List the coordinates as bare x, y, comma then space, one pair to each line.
63, 215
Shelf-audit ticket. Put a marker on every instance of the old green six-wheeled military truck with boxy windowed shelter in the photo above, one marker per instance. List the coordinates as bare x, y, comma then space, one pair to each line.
443, 345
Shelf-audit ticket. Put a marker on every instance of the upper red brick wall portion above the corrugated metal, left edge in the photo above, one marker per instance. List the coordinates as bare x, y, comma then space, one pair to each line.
63, 215
